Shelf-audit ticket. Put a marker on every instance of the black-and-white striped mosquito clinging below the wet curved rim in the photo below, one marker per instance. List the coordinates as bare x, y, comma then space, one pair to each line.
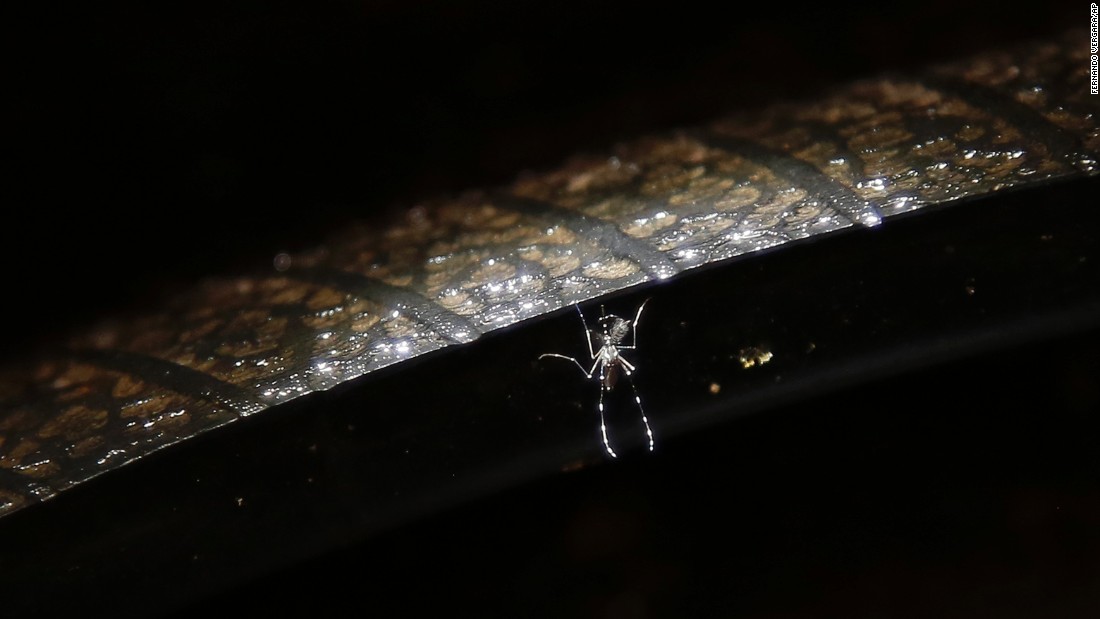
608, 359
